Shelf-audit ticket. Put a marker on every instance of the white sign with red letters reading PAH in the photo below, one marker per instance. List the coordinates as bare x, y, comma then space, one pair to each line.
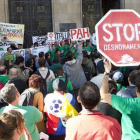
79, 34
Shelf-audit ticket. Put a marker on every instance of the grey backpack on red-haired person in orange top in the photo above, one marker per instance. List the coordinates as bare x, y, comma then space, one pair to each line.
27, 97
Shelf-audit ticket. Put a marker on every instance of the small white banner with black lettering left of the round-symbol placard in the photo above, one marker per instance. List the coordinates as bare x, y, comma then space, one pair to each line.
40, 39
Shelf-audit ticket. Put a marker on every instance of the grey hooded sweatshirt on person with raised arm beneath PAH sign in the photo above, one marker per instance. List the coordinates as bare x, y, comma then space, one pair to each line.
74, 71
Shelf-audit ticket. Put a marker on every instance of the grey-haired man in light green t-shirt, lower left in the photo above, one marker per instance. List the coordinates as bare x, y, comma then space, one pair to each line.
31, 114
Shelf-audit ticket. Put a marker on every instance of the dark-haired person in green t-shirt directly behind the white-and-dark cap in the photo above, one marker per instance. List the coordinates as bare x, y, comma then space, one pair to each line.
59, 73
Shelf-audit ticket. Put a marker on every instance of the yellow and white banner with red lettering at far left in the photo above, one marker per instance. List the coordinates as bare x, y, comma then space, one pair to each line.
11, 33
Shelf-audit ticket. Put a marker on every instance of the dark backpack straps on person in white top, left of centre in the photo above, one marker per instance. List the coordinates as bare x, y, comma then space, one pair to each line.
44, 88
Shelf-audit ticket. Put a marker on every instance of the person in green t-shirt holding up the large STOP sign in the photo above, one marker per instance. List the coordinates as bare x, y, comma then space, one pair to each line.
128, 107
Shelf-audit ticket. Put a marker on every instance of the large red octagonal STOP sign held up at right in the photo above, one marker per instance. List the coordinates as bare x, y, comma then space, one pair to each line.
118, 37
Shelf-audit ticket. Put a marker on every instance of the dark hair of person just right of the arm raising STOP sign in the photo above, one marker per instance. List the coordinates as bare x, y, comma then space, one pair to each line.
112, 87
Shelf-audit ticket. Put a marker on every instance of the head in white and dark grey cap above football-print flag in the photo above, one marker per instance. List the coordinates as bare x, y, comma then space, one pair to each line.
59, 85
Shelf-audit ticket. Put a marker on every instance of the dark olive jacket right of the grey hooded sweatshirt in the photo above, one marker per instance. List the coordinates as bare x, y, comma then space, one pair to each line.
89, 63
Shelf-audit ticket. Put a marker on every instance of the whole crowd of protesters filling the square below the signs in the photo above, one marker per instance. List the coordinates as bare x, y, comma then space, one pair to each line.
33, 91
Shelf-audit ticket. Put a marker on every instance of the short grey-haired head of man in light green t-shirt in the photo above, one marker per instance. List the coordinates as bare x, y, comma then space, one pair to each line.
10, 93
